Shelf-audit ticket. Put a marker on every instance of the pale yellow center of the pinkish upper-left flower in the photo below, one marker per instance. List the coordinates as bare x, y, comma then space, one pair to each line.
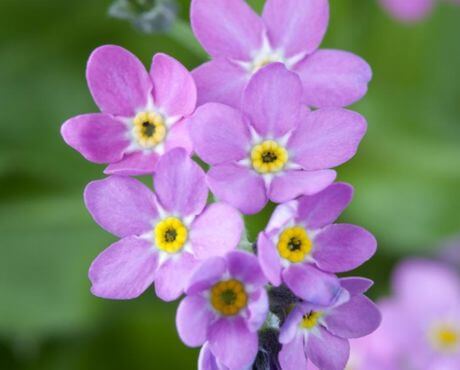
149, 129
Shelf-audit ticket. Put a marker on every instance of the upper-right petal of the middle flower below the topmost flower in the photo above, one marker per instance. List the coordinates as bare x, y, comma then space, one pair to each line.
327, 138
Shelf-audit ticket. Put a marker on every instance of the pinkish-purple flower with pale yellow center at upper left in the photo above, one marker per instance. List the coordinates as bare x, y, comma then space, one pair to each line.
142, 115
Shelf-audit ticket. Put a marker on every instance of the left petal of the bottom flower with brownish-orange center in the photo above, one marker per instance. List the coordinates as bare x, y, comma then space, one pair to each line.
193, 319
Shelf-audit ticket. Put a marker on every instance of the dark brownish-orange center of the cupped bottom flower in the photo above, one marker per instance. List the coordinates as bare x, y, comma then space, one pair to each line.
229, 297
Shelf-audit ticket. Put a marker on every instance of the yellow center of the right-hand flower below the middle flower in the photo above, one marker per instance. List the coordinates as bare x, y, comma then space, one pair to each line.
294, 244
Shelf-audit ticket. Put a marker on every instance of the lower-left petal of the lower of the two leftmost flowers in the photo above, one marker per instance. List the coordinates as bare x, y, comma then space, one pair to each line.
124, 270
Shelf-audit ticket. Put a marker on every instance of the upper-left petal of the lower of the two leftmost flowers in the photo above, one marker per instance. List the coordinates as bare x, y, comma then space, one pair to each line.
121, 205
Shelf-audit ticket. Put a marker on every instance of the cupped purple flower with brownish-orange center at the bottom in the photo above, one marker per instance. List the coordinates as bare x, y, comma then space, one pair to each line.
226, 304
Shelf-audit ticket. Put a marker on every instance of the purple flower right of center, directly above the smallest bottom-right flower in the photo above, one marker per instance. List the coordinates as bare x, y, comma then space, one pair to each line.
302, 246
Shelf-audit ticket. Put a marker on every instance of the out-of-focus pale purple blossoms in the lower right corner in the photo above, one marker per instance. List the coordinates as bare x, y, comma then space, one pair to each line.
421, 322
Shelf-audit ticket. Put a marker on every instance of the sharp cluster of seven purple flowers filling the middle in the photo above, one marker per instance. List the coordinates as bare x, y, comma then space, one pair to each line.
247, 114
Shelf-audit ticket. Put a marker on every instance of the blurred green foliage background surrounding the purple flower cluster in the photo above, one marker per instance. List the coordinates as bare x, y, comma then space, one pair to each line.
406, 175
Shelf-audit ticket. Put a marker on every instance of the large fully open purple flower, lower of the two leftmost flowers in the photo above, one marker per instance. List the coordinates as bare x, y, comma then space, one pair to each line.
164, 235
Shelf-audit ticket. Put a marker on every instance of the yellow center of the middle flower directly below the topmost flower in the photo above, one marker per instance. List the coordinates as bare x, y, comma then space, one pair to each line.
268, 157
